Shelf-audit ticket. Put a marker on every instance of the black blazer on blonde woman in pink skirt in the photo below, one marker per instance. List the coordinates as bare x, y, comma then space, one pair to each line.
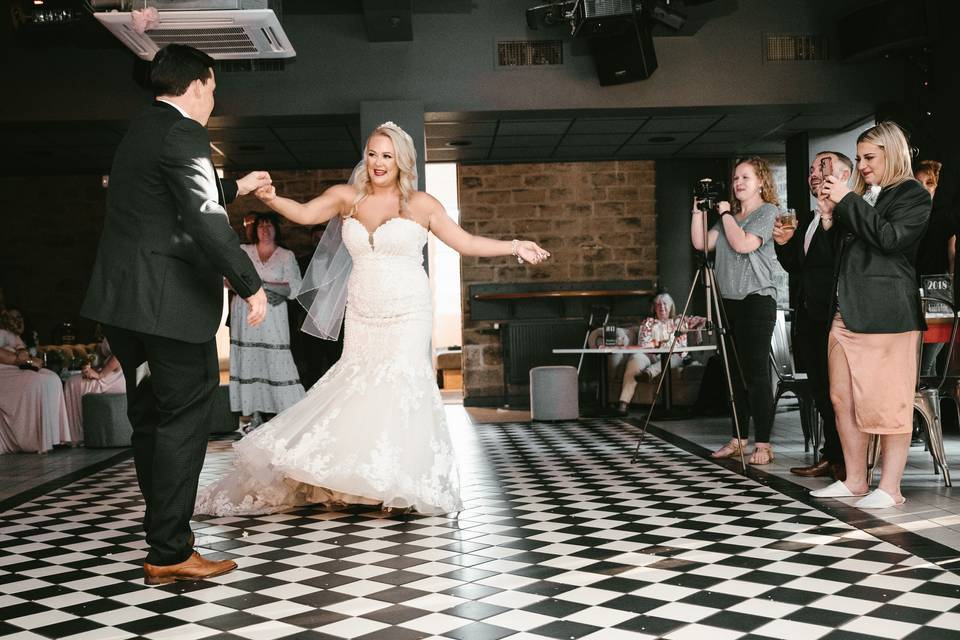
876, 279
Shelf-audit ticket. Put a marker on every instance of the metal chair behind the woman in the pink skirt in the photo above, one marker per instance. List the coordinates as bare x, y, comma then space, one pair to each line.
926, 403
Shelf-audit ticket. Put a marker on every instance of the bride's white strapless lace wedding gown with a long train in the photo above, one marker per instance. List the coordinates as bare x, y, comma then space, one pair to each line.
372, 430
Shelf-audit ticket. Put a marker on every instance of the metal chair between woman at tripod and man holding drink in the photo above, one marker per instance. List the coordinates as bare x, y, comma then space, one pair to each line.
790, 381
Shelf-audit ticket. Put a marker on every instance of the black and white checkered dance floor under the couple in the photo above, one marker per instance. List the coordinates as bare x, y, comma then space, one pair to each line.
561, 538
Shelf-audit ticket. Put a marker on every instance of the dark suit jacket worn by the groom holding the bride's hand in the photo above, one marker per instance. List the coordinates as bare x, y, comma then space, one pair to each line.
167, 243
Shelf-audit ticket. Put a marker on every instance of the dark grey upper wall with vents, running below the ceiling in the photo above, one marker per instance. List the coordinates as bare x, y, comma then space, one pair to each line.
450, 66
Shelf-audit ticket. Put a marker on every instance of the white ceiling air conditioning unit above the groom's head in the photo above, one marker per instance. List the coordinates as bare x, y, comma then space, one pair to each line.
235, 34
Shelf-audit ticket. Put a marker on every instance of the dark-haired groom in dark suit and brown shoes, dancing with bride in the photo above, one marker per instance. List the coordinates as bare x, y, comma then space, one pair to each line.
157, 287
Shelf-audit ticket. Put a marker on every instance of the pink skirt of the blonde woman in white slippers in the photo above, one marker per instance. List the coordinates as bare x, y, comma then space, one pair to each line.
877, 373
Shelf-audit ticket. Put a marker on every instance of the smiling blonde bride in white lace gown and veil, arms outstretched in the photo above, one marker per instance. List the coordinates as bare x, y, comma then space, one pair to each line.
372, 430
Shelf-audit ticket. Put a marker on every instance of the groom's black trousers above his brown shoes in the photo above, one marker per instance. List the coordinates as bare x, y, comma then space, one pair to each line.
169, 411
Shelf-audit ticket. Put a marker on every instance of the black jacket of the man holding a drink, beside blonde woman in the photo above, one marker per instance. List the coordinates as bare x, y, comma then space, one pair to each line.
813, 271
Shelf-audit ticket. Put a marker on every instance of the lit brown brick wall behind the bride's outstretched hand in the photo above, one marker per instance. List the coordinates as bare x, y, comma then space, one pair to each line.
598, 220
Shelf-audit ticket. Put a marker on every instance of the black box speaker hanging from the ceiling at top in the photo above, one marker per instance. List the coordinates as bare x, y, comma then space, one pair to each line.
625, 52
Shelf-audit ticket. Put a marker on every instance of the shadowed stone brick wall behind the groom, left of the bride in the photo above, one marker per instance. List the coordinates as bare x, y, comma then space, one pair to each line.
51, 226
